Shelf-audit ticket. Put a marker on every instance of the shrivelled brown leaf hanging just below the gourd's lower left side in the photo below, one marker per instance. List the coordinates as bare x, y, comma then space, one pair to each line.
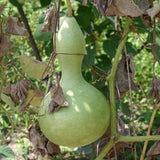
37, 140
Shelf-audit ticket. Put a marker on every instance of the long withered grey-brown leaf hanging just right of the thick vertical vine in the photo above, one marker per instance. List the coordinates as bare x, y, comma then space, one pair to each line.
121, 77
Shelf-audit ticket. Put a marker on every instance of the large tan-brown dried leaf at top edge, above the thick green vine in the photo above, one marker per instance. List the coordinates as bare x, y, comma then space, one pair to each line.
118, 8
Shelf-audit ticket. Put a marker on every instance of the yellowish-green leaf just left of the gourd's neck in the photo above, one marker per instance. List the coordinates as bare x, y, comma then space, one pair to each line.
34, 68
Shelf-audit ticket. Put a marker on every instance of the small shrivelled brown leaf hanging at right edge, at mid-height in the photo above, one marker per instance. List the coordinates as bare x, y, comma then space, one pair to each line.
155, 89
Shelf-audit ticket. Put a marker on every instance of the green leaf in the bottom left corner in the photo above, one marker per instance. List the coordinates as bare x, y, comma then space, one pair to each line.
6, 152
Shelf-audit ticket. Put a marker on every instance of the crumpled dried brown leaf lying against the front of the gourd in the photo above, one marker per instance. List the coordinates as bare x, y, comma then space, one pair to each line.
58, 100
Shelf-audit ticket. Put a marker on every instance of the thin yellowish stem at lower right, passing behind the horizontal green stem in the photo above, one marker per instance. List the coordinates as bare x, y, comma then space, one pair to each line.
149, 131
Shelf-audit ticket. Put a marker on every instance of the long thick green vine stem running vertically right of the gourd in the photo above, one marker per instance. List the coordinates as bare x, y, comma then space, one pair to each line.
111, 79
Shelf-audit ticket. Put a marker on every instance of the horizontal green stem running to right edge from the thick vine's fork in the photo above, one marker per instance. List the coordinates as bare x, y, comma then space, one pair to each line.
138, 138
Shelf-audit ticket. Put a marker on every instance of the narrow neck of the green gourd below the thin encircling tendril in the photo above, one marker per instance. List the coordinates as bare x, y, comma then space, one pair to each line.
70, 67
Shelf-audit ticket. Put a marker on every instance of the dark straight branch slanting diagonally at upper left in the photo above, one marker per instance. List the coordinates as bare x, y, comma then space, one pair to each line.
32, 41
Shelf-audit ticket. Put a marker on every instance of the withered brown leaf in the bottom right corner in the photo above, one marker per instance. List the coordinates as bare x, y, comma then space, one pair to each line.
154, 151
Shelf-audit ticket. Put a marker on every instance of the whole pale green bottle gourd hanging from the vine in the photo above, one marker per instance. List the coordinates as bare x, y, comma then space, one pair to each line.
88, 115
